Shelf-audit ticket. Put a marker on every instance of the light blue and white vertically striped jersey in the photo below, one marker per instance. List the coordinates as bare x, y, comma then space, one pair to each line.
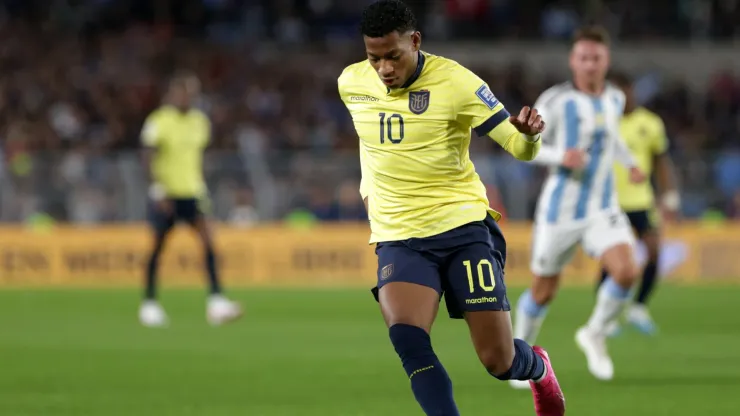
591, 123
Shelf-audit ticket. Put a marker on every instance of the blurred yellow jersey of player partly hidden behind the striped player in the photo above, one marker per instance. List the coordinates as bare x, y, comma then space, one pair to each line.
644, 133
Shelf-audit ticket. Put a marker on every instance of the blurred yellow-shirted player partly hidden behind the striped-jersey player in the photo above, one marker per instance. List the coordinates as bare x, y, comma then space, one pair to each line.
644, 133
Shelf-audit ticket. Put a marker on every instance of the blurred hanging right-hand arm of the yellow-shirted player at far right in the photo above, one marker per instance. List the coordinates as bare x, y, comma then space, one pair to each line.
665, 172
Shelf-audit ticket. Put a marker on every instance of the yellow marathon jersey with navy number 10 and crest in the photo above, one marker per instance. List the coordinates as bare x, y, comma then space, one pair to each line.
414, 140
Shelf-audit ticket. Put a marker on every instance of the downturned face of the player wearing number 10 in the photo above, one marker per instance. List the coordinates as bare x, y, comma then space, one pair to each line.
394, 56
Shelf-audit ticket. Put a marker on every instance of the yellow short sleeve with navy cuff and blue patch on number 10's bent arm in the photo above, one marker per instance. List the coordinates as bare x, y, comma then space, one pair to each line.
476, 106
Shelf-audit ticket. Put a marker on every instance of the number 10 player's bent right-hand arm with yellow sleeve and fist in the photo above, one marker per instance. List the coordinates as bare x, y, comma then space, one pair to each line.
478, 108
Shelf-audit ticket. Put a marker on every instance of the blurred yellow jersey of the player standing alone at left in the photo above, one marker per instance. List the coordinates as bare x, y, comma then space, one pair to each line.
180, 139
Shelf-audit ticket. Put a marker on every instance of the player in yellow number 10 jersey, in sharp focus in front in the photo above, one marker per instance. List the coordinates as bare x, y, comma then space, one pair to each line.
434, 233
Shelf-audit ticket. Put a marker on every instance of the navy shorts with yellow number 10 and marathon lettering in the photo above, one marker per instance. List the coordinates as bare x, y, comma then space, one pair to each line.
464, 265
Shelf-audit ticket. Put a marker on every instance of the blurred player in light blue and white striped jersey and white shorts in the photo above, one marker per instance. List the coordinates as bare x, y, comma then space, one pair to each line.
578, 204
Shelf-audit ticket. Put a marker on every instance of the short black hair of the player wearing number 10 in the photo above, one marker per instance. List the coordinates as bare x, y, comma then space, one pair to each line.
387, 16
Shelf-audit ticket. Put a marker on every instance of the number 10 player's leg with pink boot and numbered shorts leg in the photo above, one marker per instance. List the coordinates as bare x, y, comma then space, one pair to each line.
475, 288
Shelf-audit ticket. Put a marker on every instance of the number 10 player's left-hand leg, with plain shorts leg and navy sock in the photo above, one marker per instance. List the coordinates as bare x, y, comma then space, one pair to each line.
408, 292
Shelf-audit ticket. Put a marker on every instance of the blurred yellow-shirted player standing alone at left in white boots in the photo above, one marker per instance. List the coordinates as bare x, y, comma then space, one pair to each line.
175, 137
